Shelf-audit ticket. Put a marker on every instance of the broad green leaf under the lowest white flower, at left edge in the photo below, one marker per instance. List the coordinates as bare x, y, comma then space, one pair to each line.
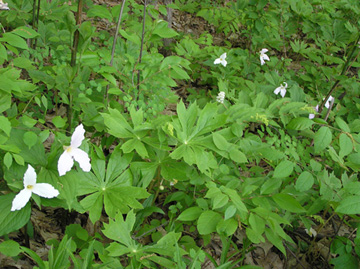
12, 220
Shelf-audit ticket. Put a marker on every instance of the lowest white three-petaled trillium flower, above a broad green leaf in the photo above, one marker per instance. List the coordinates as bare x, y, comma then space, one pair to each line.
30, 186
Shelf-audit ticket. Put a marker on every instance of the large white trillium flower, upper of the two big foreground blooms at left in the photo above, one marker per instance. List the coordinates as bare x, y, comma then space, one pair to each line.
72, 152
